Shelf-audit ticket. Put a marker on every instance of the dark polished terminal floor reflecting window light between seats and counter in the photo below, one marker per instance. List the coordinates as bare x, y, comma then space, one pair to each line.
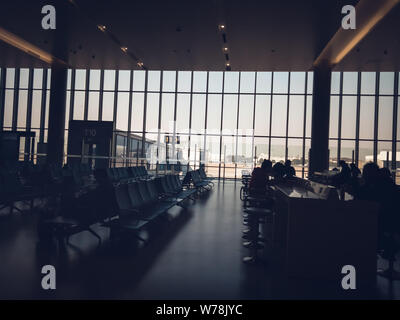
193, 254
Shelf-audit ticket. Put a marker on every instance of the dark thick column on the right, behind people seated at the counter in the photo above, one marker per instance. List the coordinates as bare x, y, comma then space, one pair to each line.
319, 153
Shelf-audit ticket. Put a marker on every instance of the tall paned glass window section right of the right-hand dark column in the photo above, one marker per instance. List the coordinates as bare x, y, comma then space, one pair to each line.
374, 120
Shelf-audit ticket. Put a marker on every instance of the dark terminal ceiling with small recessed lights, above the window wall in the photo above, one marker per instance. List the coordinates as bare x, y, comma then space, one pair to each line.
286, 35
